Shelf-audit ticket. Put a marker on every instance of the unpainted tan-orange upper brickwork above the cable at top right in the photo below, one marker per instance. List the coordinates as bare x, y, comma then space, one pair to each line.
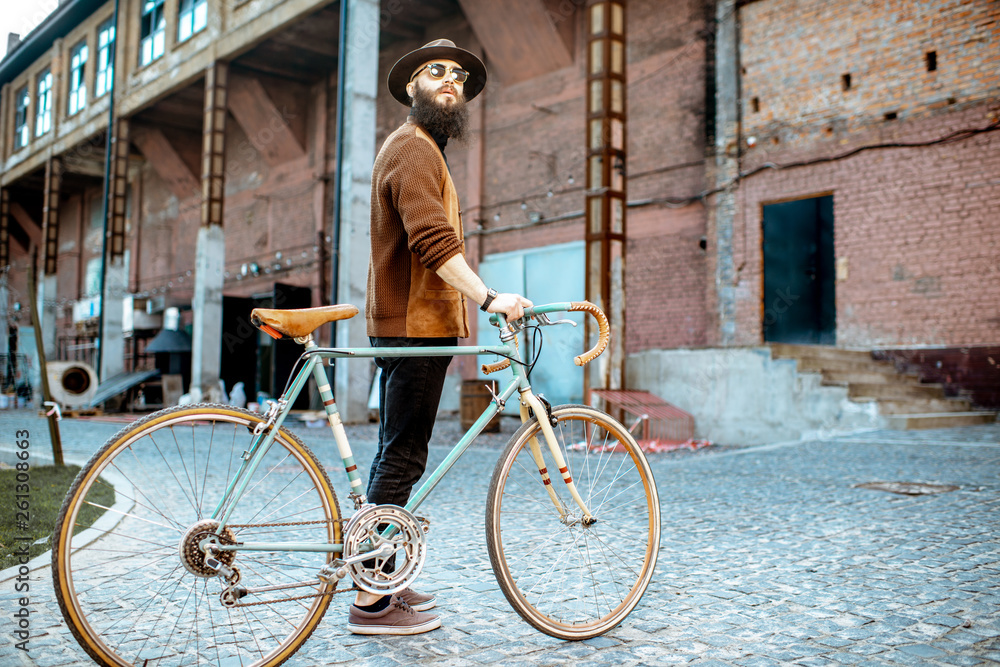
795, 53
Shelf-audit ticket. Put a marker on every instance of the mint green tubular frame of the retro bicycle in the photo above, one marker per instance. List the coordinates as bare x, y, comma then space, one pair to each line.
314, 357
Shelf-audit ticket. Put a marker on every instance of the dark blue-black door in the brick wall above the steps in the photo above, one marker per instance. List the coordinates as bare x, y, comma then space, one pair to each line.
798, 298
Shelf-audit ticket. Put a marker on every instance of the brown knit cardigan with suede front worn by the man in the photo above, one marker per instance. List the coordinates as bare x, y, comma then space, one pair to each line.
416, 226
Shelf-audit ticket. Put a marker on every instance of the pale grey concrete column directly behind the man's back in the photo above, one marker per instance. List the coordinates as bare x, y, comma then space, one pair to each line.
361, 79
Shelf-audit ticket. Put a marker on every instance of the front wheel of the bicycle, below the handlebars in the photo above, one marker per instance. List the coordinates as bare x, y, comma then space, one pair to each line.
566, 579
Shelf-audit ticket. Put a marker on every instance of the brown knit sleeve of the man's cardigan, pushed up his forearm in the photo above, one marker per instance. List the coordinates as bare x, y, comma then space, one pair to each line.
413, 177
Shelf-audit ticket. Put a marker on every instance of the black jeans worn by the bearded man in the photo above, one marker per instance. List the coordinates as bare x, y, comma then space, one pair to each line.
409, 394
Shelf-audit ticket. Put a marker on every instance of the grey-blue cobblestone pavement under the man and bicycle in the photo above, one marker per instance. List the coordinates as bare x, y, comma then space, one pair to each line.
769, 555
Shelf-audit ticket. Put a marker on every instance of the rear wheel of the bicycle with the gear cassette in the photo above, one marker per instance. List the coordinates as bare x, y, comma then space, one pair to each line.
125, 591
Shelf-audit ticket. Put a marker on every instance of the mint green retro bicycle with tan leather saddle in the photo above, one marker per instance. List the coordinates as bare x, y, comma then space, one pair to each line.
222, 541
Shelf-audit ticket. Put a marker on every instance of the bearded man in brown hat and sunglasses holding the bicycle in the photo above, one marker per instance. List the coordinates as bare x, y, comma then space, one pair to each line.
418, 281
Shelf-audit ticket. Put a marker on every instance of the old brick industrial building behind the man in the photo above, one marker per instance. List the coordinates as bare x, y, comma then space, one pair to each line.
782, 177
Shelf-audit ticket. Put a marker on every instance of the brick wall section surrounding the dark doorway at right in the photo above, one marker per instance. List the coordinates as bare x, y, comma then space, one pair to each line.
915, 227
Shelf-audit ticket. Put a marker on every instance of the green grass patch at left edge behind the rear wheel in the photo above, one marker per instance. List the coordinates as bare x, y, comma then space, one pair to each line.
47, 486
